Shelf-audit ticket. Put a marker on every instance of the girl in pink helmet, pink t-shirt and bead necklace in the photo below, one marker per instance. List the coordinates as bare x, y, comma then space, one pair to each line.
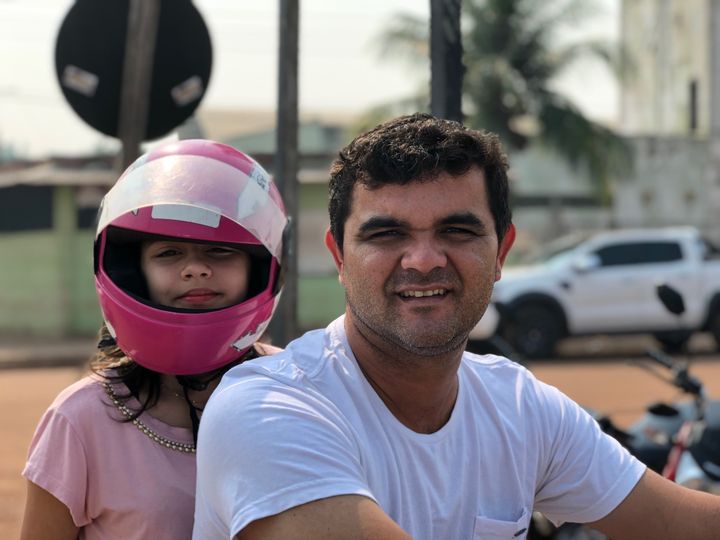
187, 271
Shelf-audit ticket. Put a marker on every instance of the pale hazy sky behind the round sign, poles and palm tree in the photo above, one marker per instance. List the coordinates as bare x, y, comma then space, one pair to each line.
339, 67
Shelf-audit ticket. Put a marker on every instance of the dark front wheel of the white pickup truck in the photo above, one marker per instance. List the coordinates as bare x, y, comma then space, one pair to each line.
534, 330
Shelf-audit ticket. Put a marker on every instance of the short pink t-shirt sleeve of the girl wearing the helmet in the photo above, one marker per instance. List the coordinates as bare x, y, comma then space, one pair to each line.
57, 463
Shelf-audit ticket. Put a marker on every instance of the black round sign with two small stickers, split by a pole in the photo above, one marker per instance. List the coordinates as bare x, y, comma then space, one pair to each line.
89, 56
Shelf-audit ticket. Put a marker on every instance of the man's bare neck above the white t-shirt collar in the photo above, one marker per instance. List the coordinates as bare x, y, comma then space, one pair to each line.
420, 391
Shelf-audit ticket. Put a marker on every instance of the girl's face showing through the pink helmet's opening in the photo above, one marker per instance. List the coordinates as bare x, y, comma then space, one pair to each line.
194, 276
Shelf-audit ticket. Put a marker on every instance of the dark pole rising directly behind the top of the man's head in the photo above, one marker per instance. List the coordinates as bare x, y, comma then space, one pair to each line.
446, 67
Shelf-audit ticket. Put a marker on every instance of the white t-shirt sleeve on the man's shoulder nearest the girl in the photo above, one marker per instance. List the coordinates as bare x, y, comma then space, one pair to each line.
265, 447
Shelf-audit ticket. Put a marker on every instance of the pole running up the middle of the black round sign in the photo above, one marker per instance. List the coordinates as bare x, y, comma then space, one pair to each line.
143, 17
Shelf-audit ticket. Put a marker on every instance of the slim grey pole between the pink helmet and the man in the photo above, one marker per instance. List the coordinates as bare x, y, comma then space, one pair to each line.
284, 326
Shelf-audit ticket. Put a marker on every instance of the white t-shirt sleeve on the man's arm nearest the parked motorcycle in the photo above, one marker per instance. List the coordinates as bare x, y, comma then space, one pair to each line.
583, 473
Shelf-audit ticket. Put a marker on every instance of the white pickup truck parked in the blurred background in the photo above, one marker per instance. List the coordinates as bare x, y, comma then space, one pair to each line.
606, 284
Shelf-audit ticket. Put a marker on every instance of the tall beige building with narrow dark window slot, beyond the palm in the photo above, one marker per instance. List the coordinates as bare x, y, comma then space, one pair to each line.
666, 88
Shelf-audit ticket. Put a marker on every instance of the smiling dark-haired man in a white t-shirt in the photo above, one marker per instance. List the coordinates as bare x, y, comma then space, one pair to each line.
380, 427
